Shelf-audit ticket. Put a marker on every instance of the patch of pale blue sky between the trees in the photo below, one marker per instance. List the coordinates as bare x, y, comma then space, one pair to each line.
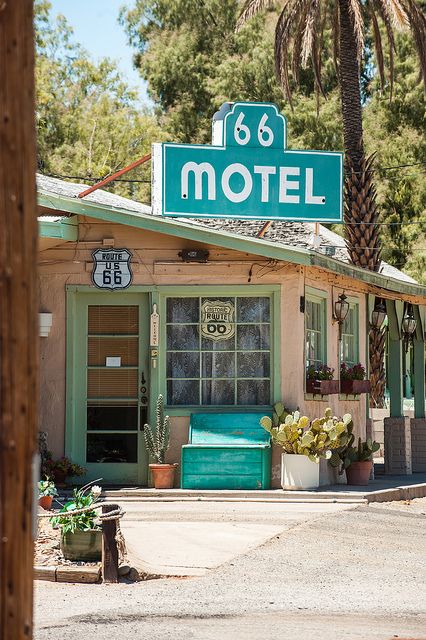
96, 28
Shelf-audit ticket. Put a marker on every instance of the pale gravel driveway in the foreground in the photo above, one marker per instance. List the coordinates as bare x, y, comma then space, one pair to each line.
358, 573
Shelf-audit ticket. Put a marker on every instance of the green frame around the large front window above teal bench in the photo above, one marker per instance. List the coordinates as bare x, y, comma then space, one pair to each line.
201, 291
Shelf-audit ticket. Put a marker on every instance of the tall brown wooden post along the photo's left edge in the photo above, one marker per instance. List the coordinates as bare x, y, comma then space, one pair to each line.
18, 317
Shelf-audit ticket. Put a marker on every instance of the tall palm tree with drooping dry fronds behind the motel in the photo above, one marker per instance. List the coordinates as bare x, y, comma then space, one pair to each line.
299, 37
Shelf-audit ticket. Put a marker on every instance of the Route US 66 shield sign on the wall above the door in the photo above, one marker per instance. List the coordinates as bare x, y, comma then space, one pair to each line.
111, 268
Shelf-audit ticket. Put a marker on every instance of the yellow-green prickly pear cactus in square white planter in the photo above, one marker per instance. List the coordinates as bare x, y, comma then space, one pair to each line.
304, 443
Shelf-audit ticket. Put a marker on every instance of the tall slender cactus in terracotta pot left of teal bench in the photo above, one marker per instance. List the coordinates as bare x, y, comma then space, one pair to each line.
157, 443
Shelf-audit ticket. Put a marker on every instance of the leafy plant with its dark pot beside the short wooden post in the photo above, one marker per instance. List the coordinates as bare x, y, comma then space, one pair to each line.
81, 535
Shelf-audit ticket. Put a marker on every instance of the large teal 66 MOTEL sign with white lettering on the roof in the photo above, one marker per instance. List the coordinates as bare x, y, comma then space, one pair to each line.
248, 172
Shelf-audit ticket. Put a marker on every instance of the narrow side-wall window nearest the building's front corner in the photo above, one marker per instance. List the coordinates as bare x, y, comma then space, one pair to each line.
315, 330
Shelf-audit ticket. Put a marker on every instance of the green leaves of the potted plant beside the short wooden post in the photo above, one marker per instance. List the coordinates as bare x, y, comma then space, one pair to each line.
82, 498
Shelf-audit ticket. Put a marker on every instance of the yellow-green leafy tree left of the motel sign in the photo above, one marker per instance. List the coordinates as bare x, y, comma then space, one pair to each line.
89, 122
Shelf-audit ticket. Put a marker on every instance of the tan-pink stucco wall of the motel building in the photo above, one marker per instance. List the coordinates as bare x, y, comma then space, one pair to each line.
155, 262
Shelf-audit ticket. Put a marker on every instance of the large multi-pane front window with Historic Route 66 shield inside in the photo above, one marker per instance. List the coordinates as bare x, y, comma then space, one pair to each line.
218, 350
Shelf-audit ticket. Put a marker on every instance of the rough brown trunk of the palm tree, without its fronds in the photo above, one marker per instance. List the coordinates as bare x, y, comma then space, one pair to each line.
360, 212
